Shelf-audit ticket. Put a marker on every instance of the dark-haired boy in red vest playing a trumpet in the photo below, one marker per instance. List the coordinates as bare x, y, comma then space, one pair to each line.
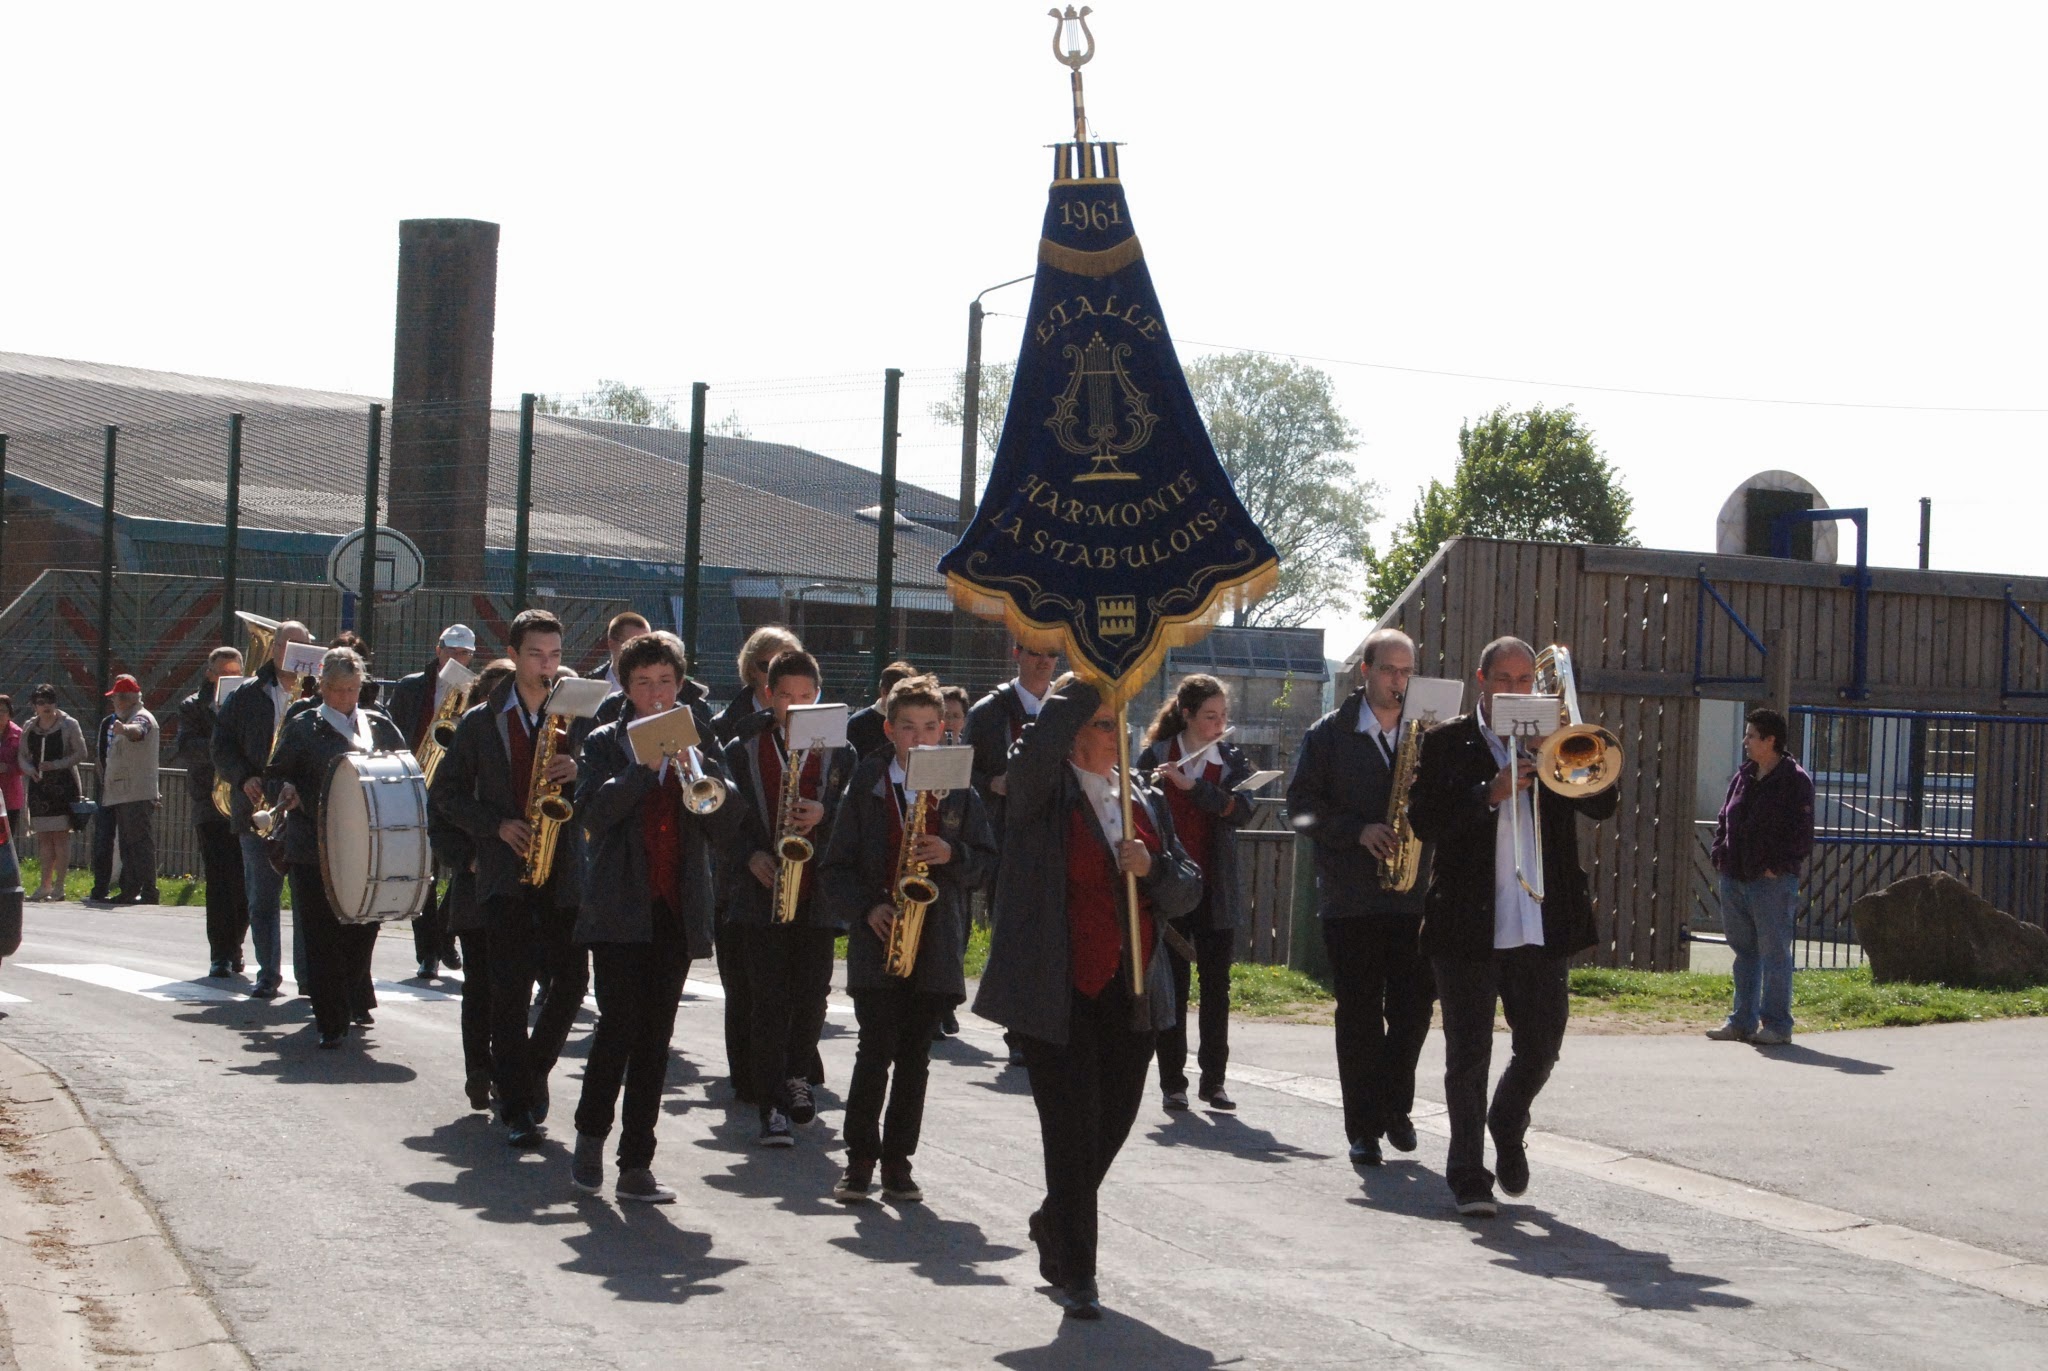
648, 913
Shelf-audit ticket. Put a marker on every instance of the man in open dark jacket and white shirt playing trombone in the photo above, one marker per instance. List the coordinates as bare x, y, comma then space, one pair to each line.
1508, 905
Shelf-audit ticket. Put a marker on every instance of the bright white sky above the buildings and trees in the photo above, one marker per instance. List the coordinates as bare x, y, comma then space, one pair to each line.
1830, 208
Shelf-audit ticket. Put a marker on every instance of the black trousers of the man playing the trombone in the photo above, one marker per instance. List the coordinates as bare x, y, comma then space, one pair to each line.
1535, 993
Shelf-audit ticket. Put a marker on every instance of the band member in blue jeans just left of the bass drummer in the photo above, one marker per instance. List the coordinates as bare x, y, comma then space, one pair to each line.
243, 741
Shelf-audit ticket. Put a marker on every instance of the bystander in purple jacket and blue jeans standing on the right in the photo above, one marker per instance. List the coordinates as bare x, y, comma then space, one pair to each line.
1760, 847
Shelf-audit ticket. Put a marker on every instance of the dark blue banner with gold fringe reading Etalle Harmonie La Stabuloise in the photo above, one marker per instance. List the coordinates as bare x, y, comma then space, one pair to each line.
1109, 530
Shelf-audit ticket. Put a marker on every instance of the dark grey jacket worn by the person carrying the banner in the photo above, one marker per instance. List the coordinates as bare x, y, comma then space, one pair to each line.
1029, 981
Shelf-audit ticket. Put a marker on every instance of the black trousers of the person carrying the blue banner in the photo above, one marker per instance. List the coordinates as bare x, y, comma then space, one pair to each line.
1089, 1097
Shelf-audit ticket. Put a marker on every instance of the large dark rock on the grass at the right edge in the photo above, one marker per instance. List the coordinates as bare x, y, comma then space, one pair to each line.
1934, 929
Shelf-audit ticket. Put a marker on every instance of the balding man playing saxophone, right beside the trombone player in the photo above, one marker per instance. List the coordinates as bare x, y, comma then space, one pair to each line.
1340, 800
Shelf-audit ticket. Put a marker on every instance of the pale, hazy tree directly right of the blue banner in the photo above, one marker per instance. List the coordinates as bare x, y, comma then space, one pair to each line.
1287, 448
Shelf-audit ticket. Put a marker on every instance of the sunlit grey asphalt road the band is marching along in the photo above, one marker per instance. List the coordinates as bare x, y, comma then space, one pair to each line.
349, 1210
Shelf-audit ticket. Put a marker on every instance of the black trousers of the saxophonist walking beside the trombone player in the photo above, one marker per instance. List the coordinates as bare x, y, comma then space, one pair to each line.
1383, 989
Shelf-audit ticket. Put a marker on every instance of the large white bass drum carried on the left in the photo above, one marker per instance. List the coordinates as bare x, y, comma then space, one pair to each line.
374, 856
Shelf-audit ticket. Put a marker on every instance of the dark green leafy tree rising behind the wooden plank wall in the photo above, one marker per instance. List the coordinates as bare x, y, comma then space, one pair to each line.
1531, 474
